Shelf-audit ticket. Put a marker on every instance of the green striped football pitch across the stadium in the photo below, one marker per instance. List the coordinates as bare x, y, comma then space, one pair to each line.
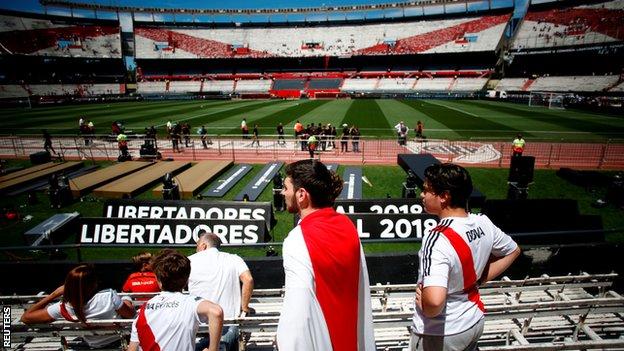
443, 119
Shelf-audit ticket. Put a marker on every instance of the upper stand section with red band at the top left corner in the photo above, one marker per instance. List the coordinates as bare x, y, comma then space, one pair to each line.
20, 35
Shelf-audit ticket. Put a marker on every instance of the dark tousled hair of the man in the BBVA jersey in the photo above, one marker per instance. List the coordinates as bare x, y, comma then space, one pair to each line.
451, 178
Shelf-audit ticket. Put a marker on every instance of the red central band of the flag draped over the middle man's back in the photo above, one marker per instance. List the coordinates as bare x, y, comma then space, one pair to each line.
334, 247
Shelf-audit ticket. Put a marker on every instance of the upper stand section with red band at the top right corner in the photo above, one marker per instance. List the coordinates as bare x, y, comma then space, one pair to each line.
572, 26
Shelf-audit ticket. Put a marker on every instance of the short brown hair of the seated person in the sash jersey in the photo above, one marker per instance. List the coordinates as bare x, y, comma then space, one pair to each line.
172, 269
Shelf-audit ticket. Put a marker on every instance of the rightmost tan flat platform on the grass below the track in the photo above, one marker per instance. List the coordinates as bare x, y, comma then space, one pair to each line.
194, 178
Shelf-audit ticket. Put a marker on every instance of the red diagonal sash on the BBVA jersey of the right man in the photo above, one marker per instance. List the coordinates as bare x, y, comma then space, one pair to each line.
467, 262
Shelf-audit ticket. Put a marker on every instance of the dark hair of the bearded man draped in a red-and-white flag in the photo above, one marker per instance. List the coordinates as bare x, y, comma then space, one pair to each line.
323, 185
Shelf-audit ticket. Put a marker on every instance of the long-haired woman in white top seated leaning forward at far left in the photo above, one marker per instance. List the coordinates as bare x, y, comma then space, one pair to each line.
81, 300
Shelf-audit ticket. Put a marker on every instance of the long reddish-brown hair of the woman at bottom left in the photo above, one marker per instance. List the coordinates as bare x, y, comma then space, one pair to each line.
80, 286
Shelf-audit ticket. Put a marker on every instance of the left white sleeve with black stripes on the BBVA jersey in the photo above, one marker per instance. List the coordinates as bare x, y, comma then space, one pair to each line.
434, 262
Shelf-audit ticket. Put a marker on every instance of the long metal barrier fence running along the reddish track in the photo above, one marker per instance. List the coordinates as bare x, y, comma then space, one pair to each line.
372, 150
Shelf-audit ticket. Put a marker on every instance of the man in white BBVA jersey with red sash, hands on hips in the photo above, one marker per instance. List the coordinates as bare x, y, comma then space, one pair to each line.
463, 251
